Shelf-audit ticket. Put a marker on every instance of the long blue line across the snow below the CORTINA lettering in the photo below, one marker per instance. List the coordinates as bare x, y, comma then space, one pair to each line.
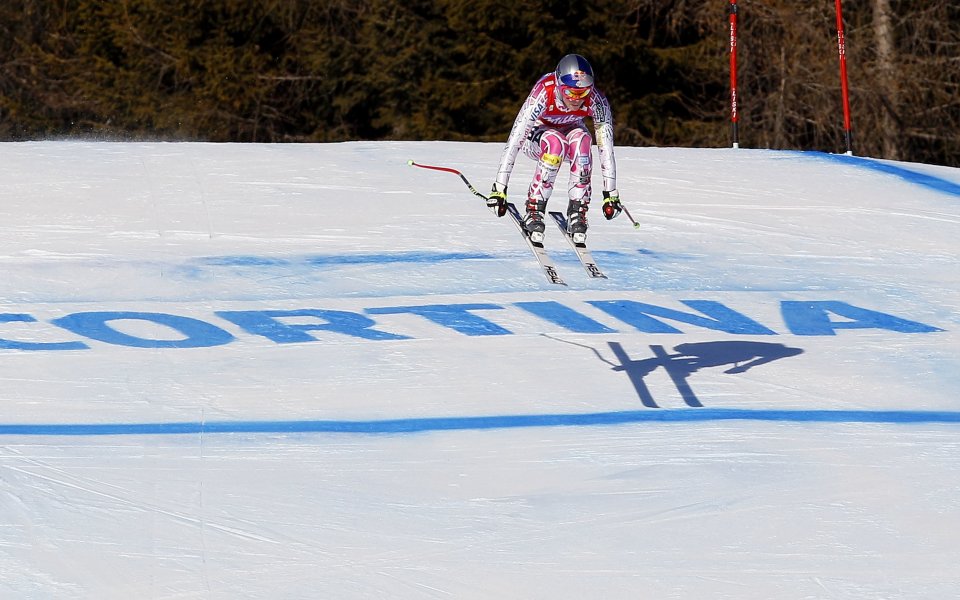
480, 423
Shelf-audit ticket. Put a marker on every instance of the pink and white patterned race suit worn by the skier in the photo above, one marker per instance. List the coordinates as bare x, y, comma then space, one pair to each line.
550, 133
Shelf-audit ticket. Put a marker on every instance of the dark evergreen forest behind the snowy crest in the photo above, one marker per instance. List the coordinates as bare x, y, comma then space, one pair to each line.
323, 71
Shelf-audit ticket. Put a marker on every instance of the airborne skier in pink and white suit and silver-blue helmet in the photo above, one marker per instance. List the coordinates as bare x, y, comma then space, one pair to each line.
550, 129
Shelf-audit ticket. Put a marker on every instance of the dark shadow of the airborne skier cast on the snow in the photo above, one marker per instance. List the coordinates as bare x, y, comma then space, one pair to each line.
692, 357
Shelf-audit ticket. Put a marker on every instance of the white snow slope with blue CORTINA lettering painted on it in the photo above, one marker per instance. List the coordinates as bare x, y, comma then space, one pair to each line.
312, 371
